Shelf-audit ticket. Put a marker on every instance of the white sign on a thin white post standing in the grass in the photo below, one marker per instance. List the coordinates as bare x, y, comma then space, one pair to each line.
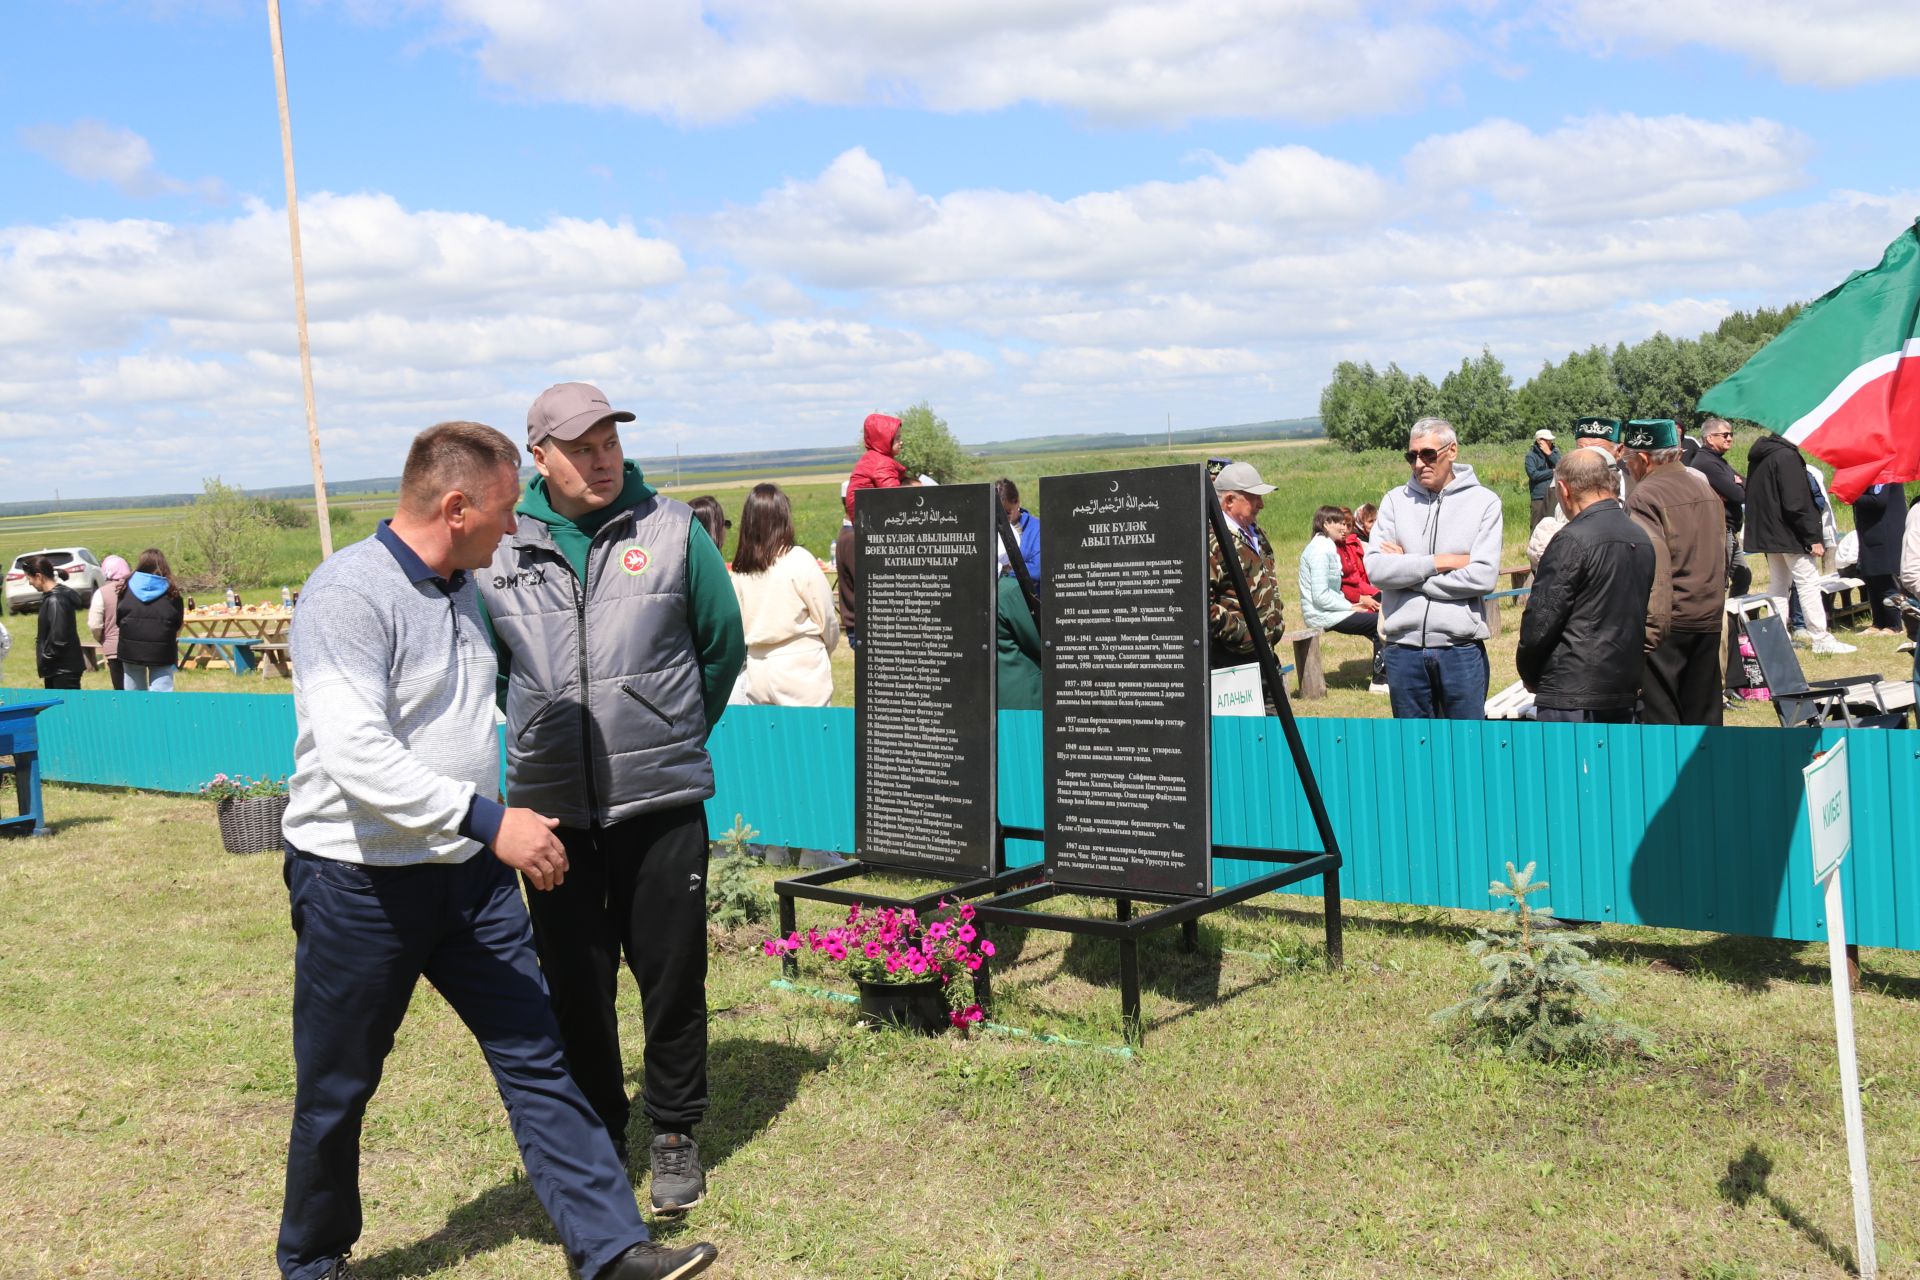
1831, 820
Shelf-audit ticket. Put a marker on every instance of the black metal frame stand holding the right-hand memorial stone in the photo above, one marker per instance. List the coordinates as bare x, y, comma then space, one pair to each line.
1017, 909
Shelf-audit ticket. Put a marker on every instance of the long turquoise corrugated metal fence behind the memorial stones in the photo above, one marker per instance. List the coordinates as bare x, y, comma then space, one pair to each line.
1633, 824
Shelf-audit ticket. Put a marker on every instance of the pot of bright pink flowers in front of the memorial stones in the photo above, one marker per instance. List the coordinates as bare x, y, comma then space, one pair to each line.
907, 966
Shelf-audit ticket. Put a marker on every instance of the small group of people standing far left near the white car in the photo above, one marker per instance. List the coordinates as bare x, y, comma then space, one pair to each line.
135, 619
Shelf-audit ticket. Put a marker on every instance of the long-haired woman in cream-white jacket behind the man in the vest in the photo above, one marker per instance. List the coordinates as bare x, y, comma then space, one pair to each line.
786, 607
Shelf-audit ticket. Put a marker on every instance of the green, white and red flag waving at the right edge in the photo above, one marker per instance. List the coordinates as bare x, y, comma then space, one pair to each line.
1844, 379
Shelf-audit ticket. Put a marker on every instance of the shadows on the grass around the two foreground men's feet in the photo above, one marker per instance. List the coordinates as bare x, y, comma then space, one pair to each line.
750, 1081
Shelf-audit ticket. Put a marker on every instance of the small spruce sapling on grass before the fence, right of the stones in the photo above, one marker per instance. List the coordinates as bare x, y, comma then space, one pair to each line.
1537, 987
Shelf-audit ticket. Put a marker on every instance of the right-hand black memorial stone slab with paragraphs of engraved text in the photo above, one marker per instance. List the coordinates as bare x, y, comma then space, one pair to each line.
1126, 680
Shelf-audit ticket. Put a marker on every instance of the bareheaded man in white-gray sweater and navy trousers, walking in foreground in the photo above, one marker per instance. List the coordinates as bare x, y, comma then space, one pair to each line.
400, 866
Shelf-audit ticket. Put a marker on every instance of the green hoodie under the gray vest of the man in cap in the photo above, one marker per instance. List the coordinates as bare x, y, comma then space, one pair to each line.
713, 609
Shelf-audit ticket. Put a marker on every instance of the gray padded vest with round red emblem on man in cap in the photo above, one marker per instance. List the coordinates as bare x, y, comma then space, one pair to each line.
604, 694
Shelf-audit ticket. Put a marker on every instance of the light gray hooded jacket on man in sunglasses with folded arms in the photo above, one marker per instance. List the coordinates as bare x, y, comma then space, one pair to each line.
1428, 609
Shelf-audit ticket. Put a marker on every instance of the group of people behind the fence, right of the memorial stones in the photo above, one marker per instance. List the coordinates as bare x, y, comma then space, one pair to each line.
1637, 540
